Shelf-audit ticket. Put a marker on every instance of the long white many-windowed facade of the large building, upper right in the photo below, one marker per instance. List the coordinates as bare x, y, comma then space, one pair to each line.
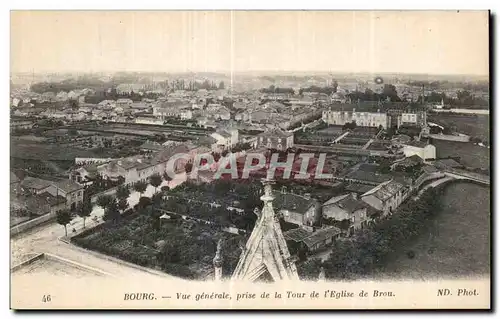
368, 119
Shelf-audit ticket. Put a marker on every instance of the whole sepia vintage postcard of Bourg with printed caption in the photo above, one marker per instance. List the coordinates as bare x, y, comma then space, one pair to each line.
250, 160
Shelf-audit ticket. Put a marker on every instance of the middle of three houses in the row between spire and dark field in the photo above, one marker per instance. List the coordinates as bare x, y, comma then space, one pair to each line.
347, 207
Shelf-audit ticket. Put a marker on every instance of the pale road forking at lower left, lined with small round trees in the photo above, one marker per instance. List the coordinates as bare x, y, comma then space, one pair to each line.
45, 239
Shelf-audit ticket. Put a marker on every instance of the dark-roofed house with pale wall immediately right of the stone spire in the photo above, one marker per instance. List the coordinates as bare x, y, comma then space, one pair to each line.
297, 209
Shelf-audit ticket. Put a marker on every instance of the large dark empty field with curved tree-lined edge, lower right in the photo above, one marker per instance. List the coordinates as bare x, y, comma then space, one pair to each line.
457, 242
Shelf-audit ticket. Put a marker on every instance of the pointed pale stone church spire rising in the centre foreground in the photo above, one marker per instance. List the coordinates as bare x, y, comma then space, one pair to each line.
266, 253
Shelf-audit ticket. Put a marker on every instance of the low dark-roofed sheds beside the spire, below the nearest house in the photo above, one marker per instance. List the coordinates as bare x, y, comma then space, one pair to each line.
314, 240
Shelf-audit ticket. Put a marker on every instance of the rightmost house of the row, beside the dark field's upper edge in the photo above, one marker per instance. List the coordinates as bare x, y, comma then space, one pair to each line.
386, 197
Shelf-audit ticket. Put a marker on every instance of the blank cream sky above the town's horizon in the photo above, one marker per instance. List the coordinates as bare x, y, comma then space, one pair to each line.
438, 42
